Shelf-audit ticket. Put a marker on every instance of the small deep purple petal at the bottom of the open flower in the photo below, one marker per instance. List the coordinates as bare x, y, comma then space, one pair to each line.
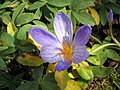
62, 65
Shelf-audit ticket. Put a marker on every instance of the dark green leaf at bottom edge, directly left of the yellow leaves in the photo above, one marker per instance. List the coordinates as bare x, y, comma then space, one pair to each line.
47, 85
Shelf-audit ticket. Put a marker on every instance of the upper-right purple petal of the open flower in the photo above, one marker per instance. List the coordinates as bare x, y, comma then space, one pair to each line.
82, 35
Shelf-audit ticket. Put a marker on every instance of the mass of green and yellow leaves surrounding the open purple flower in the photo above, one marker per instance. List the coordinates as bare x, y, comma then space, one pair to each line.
21, 68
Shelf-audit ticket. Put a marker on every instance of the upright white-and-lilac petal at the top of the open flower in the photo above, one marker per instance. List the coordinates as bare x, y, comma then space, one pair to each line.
63, 27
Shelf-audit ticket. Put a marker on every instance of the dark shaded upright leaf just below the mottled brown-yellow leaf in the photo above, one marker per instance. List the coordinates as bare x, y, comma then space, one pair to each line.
38, 72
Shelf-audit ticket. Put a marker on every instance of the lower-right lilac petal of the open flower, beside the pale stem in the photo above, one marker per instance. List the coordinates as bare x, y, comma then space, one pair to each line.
80, 54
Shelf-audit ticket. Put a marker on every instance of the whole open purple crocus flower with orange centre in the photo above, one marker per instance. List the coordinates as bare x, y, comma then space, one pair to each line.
62, 48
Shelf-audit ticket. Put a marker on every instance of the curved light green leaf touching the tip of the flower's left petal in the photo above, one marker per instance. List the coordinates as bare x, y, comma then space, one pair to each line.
23, 31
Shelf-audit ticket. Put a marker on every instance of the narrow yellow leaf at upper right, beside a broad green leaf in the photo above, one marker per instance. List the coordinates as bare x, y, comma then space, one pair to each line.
95, 15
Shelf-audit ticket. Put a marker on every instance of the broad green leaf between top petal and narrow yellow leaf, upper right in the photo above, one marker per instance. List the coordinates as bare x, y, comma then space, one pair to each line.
84, 18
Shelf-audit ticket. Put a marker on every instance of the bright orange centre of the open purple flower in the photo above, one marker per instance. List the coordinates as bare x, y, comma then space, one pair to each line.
67, 52
